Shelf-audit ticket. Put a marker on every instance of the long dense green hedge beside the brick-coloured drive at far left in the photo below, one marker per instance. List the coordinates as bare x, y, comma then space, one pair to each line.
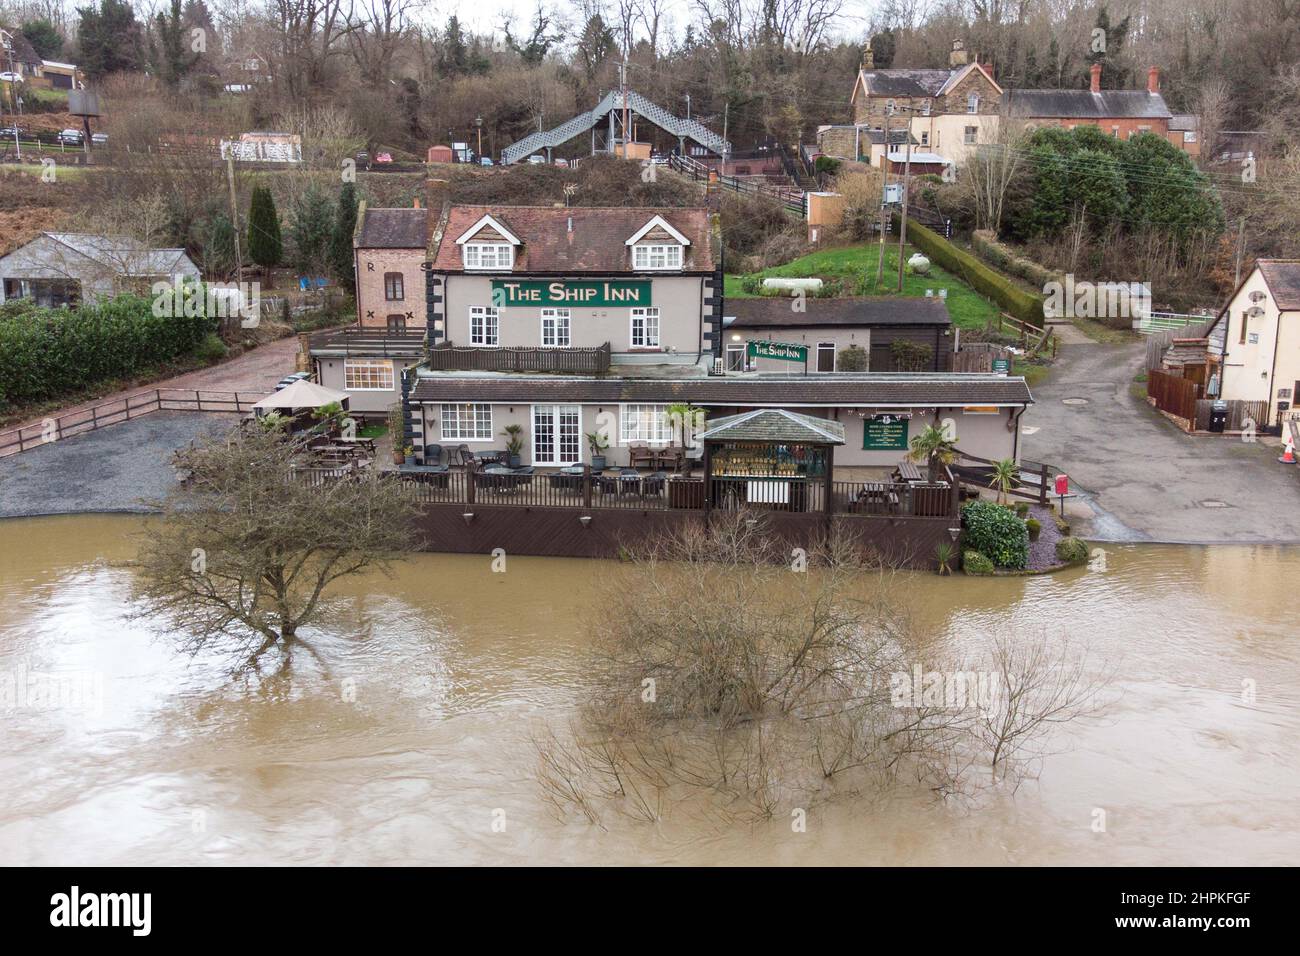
46, 353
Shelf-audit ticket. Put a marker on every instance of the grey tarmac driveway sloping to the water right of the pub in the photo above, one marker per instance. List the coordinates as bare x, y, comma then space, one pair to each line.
1141, 477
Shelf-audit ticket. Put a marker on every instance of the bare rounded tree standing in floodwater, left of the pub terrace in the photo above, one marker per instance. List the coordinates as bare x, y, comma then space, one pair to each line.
246, 550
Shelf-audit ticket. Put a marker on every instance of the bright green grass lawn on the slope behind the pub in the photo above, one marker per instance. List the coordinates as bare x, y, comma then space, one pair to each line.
856, 267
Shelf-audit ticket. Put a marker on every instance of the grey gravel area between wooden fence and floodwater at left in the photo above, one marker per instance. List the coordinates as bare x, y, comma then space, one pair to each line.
110, 470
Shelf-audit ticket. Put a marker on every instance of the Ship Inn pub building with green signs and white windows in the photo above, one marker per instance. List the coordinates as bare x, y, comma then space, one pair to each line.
571, 322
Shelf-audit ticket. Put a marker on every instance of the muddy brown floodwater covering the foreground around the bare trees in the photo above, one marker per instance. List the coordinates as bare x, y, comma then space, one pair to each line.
118, 750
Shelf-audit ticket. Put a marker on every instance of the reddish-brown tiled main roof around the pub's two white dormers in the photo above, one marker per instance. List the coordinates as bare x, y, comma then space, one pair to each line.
597, 243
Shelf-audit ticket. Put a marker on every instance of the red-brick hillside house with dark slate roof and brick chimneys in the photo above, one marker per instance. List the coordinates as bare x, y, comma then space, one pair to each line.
1121, 114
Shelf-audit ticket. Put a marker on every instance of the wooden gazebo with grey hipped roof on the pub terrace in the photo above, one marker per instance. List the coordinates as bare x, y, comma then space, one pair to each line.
770, 458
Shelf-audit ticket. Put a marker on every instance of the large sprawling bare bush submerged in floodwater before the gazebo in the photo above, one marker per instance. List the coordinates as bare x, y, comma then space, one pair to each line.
740, 680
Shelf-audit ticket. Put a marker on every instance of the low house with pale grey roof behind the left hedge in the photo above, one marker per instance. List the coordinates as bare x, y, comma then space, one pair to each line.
67, 269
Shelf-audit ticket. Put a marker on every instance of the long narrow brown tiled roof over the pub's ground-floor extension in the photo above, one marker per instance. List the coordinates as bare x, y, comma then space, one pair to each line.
827, 390
